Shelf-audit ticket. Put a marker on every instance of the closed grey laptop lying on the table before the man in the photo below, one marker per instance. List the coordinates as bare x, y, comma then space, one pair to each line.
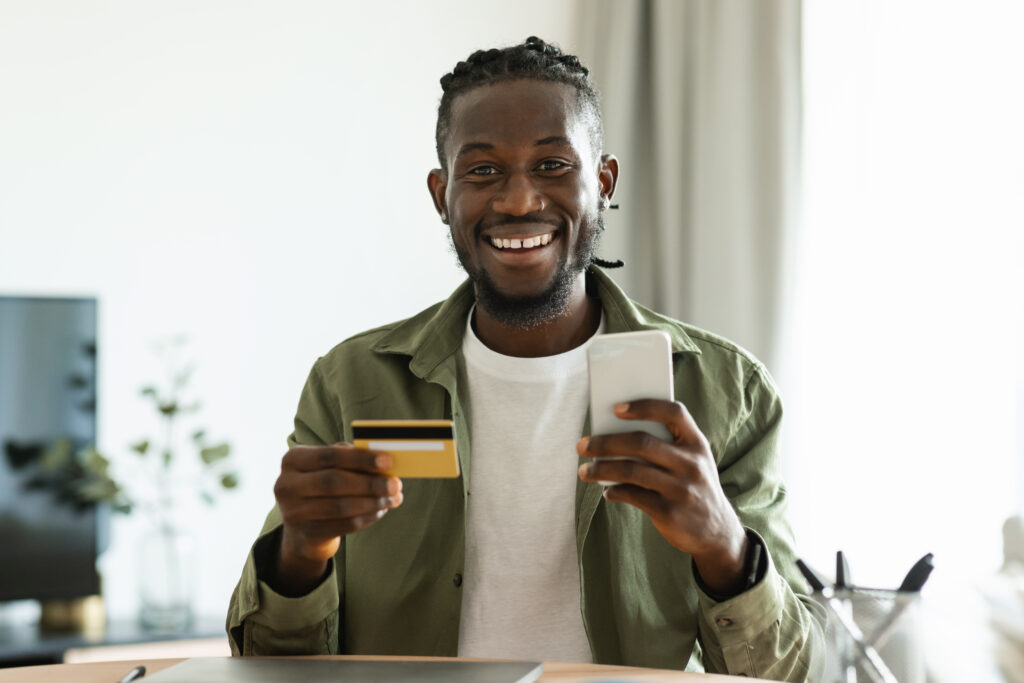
282, 670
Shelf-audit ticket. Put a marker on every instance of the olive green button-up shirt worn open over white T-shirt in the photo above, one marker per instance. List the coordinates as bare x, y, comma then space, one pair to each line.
396, 588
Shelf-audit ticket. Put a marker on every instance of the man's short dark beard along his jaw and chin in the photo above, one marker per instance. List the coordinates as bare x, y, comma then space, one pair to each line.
529, 312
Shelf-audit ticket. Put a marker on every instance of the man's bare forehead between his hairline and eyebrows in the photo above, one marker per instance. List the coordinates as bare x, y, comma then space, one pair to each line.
518, 113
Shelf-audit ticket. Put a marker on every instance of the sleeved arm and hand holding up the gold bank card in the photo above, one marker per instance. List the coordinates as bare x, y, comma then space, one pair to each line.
288, 599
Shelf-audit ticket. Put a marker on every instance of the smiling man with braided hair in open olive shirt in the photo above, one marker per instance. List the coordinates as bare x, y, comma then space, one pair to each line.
686, 562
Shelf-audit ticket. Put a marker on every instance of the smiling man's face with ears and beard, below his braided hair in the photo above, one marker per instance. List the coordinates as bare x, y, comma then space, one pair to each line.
522, 195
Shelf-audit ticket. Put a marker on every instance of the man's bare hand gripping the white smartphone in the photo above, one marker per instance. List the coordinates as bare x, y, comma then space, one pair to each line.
677, 485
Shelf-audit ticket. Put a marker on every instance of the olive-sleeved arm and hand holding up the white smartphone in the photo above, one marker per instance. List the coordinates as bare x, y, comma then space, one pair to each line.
706, 506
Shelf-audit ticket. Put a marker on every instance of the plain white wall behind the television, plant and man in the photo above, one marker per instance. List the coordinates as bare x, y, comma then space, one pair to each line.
249, 175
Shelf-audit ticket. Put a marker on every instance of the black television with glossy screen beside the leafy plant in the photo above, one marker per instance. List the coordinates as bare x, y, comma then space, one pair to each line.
48, 394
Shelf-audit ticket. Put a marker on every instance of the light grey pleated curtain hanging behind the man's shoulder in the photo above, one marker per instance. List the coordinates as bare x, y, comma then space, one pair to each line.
702, 107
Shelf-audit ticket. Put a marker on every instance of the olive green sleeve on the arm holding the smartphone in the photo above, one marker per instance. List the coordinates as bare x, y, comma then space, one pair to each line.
774, 630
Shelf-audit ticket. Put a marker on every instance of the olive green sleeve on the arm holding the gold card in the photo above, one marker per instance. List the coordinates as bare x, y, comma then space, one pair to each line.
261, 621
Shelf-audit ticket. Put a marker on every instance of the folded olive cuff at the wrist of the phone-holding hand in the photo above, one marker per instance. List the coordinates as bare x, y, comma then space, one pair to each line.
742, 618
